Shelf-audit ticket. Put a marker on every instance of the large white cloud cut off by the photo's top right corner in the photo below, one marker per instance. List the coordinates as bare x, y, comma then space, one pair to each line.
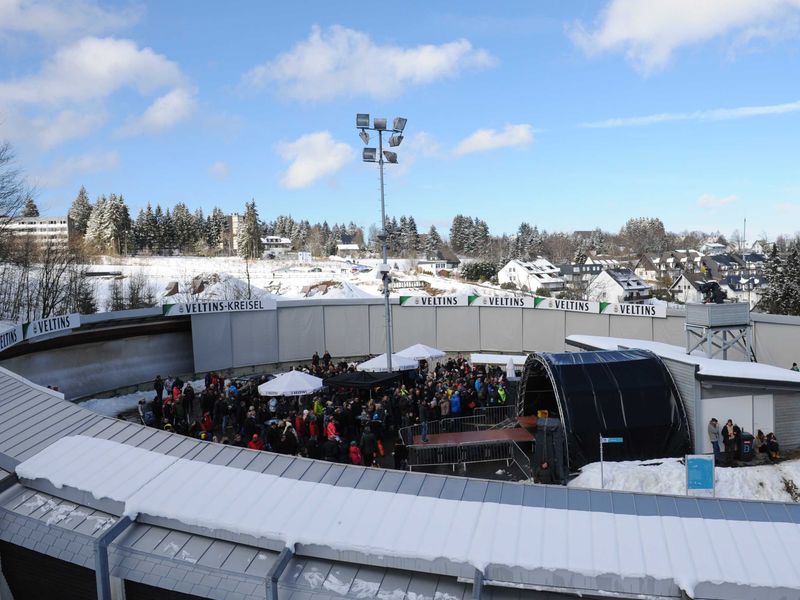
649, 31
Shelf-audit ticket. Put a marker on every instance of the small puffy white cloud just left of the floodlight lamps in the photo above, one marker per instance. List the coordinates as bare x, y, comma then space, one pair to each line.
313, 156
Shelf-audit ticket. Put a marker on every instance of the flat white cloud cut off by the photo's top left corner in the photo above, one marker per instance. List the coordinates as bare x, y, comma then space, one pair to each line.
60, 18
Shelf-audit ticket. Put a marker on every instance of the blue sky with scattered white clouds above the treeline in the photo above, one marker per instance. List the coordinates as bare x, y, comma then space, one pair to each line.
569, 115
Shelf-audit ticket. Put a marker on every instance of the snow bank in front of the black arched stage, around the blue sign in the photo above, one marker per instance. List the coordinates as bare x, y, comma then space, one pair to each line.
668, 476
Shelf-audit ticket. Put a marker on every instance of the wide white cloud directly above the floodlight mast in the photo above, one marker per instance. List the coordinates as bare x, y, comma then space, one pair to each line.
344, 62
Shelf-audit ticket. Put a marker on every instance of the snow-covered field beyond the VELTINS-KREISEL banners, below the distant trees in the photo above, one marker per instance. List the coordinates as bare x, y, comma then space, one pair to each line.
226, 277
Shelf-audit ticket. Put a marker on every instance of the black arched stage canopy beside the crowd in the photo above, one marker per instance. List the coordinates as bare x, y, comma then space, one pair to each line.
614, 393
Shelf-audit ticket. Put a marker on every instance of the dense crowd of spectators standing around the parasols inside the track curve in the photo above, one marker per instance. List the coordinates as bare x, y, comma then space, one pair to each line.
337, 424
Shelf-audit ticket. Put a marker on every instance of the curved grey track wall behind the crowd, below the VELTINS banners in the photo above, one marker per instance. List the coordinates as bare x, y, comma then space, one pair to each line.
113, 350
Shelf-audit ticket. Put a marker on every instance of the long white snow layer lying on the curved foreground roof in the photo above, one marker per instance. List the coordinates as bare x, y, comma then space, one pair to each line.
548, 543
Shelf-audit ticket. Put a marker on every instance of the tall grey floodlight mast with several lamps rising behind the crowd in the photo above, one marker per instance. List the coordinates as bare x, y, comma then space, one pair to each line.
382, 156
